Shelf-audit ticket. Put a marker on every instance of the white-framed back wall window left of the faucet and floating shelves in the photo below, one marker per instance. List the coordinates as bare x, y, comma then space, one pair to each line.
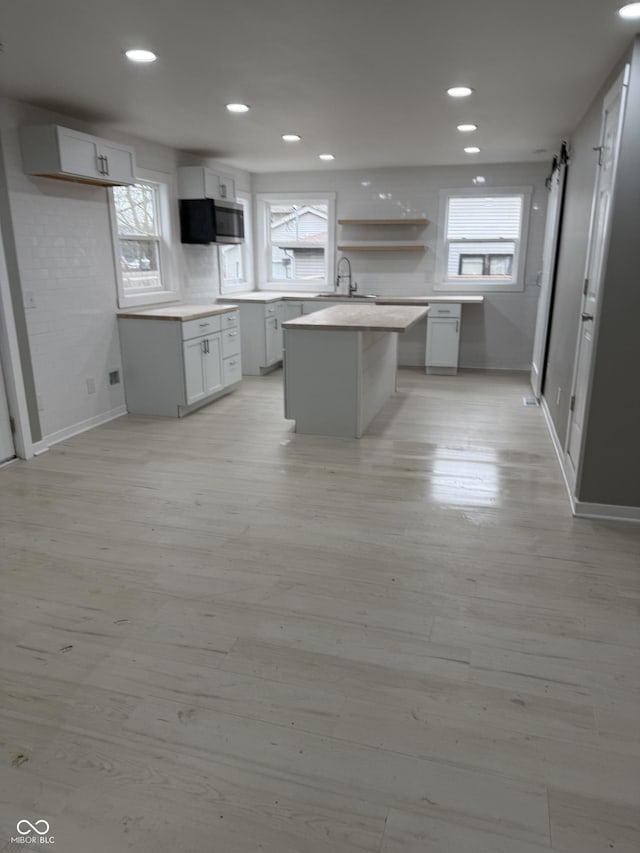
297, 242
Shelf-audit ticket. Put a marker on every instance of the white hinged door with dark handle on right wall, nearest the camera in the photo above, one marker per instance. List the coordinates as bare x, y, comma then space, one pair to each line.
613, 113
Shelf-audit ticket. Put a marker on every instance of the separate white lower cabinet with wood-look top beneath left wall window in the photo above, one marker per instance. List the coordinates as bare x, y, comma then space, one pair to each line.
172, 367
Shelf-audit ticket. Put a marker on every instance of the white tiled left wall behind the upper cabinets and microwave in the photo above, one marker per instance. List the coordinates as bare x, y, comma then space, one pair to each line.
65, 267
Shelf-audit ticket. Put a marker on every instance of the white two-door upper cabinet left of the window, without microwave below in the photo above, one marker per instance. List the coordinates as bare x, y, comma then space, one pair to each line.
51, 151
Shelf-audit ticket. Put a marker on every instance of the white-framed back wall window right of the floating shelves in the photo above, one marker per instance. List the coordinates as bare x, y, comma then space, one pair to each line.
483, 245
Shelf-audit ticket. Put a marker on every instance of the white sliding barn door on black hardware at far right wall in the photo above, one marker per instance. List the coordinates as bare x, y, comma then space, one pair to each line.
549, 256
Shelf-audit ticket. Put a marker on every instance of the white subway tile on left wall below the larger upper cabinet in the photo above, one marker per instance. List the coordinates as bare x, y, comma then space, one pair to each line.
66, 261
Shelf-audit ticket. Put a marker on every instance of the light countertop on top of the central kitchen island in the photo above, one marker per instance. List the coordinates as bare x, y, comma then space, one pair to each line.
362, 317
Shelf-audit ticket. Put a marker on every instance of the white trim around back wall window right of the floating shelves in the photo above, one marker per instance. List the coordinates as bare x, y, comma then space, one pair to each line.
487, 285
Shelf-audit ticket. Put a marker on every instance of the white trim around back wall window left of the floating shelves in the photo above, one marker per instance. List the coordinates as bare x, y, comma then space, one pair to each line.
264, 262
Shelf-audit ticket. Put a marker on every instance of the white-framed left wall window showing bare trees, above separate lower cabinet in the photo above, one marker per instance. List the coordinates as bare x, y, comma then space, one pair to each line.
141, 232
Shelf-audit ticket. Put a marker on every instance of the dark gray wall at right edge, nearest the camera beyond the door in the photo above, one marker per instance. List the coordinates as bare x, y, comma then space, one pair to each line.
611, 461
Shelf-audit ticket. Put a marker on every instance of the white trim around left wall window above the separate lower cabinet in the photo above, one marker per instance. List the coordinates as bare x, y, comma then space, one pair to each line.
167, 212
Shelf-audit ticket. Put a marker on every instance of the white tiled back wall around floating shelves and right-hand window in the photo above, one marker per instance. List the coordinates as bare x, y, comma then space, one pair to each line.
498, 334
